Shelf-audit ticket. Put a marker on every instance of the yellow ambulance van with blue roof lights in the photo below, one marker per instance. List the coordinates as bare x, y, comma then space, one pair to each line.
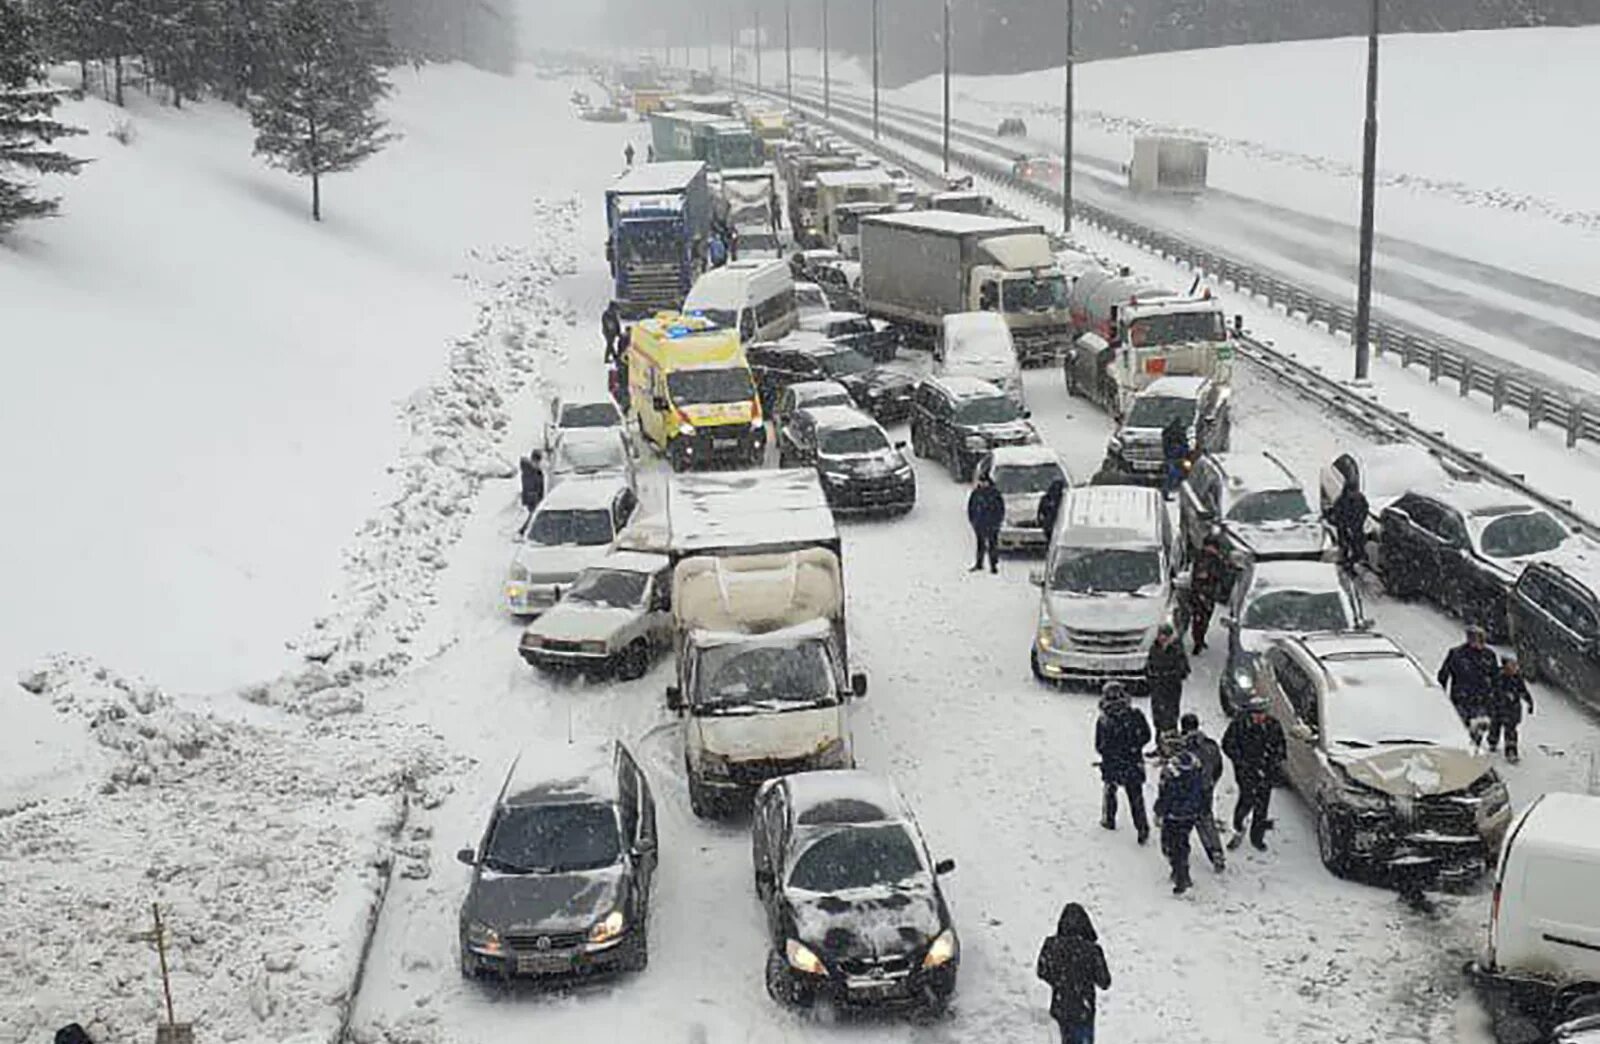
692, 391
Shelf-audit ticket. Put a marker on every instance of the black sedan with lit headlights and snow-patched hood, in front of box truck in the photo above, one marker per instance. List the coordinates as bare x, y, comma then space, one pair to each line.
852, 896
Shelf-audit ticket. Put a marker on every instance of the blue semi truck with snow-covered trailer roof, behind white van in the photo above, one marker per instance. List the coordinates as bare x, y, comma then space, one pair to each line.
658, 220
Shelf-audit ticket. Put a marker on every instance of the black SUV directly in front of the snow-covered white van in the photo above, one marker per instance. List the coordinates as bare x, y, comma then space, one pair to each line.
961, 419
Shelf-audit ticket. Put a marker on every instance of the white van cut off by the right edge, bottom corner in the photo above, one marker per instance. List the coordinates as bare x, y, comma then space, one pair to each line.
1545, 917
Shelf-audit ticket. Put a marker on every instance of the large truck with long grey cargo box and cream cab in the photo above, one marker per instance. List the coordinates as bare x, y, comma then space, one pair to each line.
918, 268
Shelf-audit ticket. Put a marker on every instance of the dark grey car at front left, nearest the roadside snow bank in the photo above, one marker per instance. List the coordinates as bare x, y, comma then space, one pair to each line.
561, 881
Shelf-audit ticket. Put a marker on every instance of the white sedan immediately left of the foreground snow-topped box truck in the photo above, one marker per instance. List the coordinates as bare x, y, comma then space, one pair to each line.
614, 620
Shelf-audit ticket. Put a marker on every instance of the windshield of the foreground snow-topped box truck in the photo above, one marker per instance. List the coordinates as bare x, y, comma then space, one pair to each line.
743, 681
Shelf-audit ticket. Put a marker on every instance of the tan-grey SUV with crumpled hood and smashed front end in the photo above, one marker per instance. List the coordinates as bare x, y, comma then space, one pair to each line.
1382, 758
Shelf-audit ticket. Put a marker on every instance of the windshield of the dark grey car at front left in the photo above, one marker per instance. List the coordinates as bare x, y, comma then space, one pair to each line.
553, 840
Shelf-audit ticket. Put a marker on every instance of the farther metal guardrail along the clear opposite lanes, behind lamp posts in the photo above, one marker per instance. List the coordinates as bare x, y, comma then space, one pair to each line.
1444, 359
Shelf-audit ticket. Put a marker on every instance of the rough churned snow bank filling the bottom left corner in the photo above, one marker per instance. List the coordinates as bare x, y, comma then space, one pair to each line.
265, 846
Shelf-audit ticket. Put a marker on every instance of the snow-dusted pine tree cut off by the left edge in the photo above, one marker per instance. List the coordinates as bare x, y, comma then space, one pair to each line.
26, 126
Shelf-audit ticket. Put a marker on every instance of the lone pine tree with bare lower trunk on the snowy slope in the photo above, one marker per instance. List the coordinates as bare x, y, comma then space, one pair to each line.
318, 113
